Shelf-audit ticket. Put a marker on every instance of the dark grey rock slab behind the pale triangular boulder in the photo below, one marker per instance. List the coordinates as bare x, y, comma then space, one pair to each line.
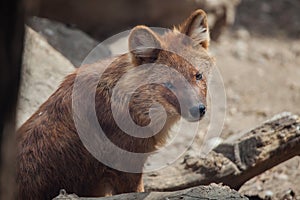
72, 43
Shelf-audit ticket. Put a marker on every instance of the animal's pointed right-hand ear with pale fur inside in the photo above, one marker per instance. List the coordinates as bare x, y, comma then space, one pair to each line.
196, 27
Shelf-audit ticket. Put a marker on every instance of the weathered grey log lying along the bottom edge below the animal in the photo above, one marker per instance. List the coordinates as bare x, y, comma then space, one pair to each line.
212, 191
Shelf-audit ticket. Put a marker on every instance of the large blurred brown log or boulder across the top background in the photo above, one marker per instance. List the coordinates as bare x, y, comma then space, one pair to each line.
102, 18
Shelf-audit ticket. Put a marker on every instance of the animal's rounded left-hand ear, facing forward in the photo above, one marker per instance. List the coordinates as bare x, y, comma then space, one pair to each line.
144, 44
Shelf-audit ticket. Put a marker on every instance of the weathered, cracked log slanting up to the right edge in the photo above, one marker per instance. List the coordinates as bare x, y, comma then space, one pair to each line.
236, 160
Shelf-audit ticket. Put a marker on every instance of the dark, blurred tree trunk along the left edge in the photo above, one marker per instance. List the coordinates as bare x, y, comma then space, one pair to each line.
11, 47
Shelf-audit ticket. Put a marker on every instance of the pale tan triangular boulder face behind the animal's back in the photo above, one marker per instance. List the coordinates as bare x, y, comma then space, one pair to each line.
43, 70
